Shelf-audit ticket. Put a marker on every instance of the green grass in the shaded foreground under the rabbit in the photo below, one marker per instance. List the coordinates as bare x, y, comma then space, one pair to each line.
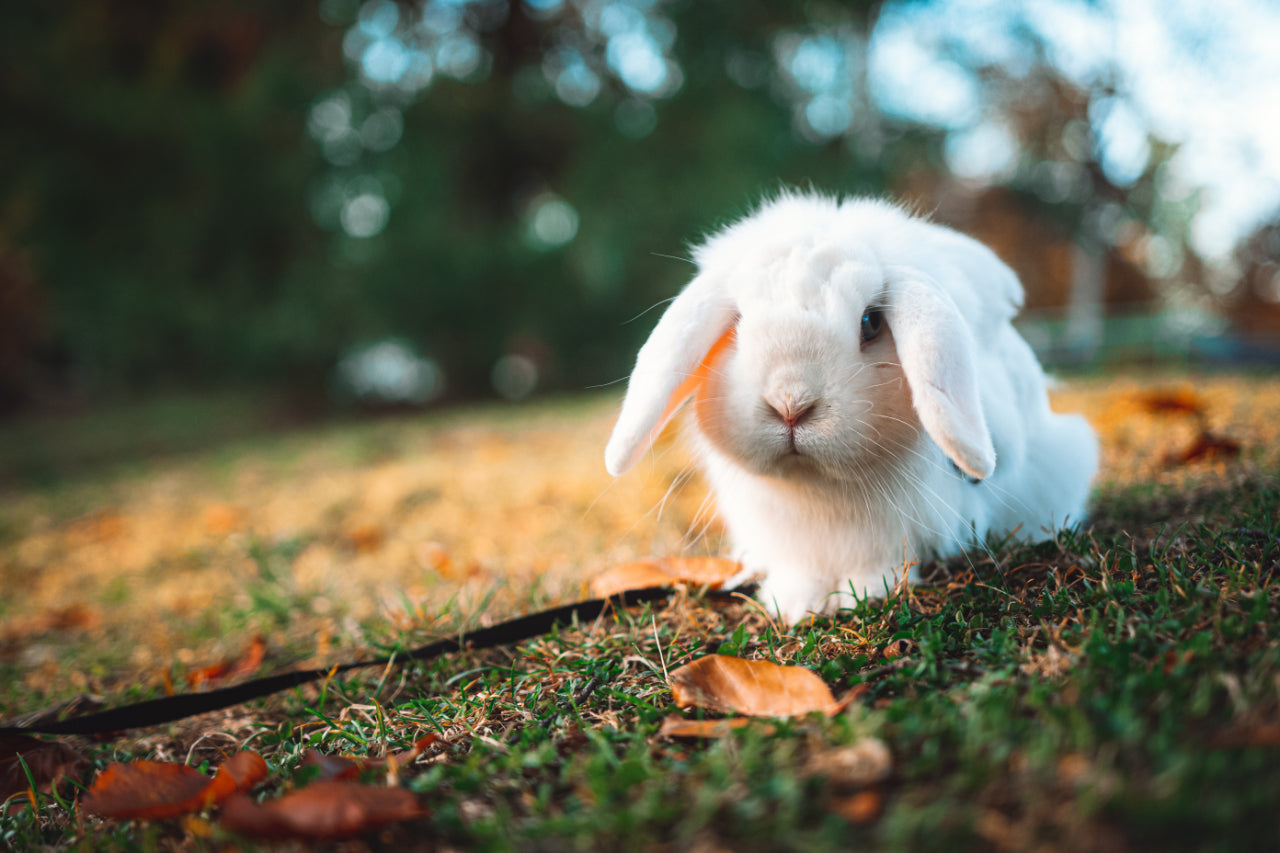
1118, 688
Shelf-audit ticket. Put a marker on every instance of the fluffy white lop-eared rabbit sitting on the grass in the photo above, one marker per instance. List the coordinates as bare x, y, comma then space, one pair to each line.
862, 400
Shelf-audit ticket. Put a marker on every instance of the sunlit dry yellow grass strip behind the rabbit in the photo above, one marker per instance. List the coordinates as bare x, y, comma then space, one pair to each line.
395, 523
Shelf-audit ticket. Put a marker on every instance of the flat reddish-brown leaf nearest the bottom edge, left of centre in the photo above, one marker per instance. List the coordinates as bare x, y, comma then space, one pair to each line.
326, 810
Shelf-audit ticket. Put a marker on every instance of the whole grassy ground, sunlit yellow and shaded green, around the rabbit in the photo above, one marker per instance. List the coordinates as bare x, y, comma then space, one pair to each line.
1117, 688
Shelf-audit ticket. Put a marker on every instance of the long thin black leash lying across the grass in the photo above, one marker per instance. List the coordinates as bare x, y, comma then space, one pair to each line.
179, 708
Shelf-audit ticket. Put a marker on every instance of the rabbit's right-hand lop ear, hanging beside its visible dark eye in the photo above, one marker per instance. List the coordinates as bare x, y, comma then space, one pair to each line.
938, 354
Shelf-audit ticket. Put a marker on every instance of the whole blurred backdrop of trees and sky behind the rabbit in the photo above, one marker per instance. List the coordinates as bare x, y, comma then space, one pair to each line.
369, 204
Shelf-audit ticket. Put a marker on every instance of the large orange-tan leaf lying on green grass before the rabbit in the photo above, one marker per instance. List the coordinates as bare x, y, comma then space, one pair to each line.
756, 688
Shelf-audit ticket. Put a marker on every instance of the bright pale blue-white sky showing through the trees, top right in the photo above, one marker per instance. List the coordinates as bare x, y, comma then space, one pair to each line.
1201, 74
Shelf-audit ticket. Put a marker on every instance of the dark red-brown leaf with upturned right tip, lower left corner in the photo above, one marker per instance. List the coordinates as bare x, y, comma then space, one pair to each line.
161, 790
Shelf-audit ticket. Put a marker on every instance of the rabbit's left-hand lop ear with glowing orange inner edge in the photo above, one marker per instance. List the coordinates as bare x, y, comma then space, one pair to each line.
671, 367
